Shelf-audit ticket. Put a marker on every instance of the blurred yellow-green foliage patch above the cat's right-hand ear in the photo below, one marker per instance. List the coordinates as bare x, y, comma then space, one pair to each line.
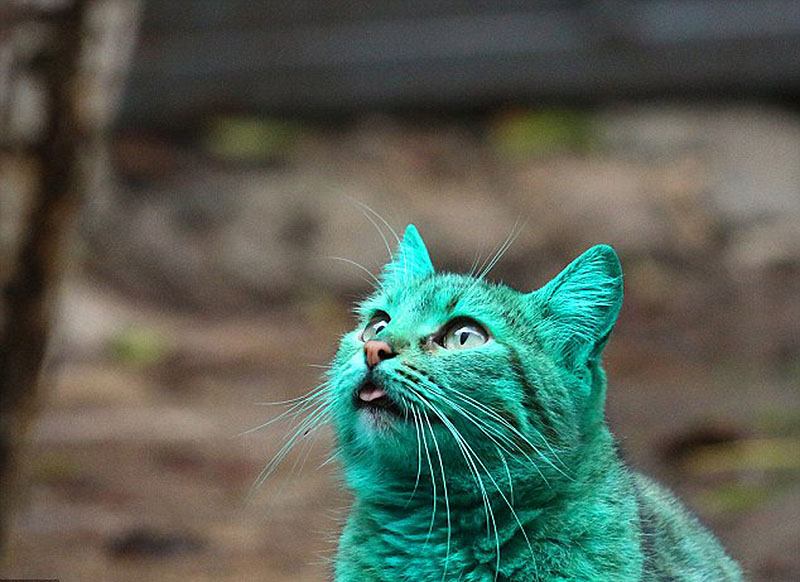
525, 133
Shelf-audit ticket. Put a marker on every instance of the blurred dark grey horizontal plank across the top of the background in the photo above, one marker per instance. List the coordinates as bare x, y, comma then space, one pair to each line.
454, 53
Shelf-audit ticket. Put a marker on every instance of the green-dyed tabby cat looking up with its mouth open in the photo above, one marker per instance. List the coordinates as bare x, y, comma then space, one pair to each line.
469, 420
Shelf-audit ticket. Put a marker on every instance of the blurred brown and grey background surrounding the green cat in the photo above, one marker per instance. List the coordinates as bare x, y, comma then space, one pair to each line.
176, 176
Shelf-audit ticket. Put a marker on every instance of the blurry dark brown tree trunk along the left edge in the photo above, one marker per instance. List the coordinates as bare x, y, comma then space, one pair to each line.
61, 63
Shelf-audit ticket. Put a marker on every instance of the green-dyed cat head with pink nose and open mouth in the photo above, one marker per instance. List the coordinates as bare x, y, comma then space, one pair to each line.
452, 370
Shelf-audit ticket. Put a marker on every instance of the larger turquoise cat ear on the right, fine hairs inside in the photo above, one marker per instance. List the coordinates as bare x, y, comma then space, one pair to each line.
580, 306
